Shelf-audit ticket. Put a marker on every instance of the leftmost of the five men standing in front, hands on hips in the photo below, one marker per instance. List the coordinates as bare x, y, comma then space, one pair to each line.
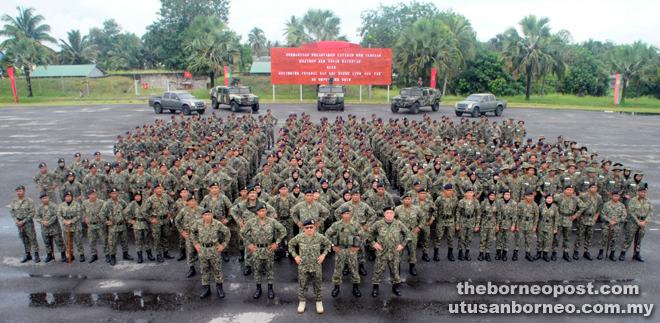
210, 237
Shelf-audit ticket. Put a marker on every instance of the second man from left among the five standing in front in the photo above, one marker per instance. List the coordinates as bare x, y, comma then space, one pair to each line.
263, 236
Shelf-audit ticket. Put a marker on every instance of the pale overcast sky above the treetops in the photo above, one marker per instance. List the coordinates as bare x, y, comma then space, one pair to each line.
619, 21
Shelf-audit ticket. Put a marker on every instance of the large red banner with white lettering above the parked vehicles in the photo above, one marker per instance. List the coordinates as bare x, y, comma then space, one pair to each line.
346, 65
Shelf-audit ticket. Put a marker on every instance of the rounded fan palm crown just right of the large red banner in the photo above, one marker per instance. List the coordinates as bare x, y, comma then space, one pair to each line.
427, 44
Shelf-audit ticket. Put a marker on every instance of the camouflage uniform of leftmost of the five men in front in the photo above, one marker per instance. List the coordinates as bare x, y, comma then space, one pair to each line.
209, 237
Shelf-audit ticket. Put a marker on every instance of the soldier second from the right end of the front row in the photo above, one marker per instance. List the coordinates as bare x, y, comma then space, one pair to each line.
613, 213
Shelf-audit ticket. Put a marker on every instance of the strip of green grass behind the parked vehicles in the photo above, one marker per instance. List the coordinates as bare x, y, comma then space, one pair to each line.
115, 90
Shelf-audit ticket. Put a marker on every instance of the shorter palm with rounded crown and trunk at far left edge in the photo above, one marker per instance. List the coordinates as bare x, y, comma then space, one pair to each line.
25, 53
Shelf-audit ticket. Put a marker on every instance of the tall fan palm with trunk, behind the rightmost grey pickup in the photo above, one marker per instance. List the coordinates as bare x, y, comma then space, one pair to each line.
528, 51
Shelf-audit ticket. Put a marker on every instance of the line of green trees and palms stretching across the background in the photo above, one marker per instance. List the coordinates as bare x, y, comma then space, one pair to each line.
194, 35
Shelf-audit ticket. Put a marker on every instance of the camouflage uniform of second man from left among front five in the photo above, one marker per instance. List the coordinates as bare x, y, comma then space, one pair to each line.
262, 234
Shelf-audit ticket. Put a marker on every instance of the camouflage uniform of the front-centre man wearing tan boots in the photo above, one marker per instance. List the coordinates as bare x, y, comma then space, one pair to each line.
309, 270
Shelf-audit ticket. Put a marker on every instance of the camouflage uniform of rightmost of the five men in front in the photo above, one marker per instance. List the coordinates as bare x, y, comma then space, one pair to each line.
389, 236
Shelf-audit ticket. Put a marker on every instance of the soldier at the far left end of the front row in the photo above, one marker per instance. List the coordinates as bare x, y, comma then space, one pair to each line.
22, 212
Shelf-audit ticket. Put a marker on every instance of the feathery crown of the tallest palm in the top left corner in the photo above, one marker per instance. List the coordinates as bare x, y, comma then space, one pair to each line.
27, 25
